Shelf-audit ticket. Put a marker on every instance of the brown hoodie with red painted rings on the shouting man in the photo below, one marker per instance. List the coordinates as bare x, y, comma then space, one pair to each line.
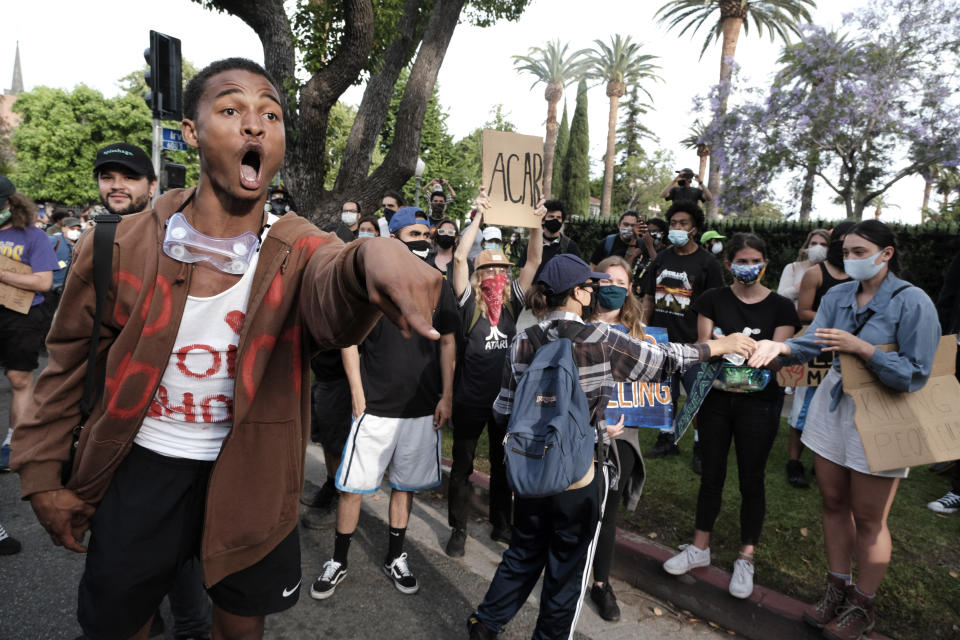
305, 280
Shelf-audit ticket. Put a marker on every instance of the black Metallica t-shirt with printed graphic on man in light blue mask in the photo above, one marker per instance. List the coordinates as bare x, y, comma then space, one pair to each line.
676, 281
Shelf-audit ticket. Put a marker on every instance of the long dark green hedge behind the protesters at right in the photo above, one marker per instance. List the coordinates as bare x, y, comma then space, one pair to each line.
925, 250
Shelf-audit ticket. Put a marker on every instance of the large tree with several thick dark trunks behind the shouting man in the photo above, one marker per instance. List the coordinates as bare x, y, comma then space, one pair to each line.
336, 45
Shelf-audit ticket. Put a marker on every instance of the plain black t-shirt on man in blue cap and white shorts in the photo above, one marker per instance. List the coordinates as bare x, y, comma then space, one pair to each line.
401, 376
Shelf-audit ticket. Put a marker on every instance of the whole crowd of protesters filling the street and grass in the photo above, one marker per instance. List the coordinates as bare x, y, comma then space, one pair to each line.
230, 327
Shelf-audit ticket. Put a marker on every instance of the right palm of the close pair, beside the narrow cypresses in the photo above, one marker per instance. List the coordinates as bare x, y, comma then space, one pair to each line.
620, 63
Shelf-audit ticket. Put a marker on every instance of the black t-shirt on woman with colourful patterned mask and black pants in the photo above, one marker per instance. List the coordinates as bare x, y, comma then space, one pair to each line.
760, 319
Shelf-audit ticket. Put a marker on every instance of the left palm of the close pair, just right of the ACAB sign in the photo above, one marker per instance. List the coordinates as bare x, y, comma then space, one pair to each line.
552, 66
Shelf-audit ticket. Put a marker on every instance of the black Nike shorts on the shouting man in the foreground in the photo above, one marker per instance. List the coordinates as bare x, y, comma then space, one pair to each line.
149, 523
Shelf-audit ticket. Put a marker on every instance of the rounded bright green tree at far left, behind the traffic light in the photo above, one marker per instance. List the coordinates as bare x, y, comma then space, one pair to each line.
59, 134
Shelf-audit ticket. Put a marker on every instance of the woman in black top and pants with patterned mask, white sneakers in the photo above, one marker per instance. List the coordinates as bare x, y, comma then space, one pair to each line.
743, 408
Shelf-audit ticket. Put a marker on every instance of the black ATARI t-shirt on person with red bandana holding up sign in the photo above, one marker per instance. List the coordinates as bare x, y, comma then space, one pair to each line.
484, 349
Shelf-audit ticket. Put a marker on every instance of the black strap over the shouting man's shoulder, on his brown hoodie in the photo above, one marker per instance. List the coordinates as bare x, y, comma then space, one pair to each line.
103, 235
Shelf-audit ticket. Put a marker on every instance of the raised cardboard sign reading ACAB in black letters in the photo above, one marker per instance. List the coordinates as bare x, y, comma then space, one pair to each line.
513, 176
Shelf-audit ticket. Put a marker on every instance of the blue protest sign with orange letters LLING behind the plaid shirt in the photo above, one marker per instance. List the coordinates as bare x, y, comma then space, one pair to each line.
643, 404
